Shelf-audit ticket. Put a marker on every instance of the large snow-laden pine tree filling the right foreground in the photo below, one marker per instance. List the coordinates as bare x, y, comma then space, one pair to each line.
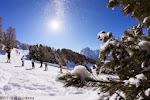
131, 54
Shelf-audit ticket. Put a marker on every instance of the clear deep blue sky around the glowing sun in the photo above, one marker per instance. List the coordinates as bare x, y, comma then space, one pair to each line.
80, 22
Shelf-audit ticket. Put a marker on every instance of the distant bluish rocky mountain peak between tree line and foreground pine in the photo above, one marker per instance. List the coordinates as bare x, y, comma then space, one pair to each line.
90, 53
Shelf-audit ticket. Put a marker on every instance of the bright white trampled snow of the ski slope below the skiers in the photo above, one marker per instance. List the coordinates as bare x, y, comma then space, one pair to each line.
16, 80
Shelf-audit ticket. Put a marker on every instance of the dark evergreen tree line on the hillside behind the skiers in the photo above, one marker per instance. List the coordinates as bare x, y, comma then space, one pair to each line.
59, 56
